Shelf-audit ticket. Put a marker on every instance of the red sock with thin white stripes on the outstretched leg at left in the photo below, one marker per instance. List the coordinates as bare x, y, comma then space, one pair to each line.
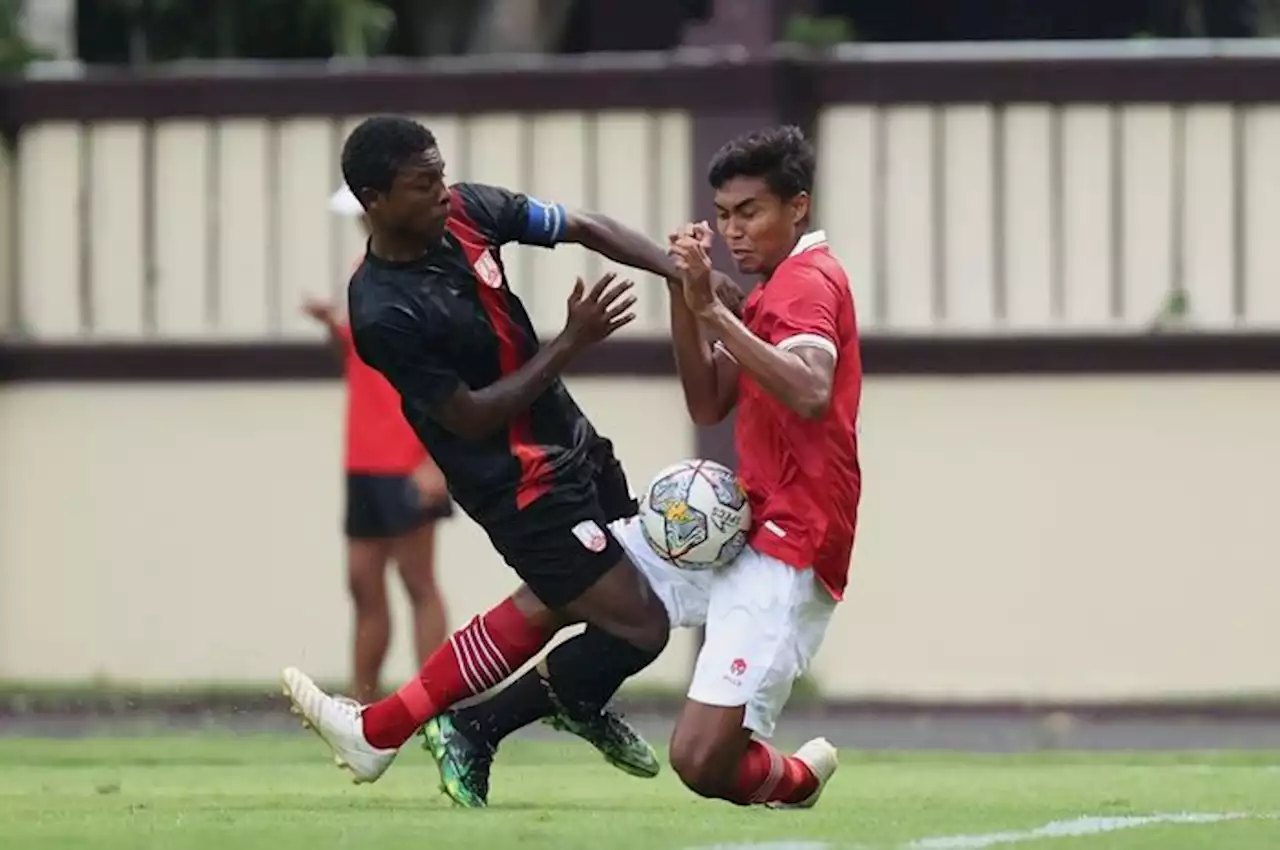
476, 659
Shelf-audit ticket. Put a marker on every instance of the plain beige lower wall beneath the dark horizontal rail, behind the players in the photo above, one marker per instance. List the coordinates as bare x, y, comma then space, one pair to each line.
1054, 538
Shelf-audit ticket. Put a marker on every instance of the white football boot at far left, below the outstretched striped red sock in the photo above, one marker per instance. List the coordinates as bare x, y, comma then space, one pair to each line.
337, 721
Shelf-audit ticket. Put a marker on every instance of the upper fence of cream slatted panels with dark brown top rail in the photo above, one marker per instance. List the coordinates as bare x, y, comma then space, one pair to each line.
968, 194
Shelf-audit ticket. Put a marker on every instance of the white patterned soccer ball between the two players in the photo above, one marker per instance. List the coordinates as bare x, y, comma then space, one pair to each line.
696, 515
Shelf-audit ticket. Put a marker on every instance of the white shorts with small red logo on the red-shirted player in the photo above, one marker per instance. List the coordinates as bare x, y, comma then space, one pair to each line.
765, 625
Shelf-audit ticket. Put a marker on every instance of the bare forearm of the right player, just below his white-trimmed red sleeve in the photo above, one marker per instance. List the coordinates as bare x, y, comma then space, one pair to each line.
801, 380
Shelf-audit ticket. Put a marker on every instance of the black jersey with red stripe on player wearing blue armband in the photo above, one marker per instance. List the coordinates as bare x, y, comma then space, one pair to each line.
449, 321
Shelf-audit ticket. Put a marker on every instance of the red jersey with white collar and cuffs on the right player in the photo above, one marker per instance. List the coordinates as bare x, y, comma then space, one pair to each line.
802, 477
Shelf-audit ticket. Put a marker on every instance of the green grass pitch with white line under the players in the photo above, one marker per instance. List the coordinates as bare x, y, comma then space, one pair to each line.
278, 793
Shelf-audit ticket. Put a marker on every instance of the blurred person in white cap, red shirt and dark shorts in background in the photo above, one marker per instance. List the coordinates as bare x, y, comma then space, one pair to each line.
395, 497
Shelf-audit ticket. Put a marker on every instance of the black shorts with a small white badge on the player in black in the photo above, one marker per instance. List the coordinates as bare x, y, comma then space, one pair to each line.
560, 547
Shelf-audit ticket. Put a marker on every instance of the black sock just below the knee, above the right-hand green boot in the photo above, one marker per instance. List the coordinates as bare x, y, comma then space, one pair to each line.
586, 673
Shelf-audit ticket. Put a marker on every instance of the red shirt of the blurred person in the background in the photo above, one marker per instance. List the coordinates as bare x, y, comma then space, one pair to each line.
380, 441
